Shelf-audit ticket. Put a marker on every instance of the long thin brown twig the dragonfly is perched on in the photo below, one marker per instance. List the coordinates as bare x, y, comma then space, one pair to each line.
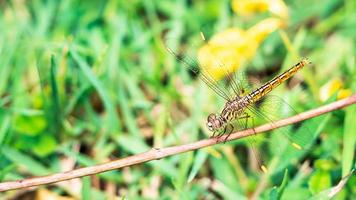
155, 154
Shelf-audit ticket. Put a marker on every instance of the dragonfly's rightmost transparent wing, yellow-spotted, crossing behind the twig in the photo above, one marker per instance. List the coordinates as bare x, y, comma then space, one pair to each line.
295, 139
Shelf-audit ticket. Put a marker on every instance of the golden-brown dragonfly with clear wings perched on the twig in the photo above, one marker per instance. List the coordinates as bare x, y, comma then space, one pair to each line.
238, 107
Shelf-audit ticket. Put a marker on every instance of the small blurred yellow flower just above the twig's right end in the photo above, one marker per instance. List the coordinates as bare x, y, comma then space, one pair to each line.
332, 87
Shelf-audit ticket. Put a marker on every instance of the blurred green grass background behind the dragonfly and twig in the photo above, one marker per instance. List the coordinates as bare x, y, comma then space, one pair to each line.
85, 82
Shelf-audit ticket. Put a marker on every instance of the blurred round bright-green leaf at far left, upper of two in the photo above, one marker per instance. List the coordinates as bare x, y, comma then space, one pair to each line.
29, 125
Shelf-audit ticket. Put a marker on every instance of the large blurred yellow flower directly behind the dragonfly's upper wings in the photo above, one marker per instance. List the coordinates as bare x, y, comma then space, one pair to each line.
230, 49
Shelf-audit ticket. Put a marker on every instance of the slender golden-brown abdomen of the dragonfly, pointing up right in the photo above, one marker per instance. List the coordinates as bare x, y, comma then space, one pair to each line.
270, 85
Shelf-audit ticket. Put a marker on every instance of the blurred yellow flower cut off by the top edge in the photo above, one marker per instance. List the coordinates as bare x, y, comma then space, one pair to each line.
248, 7
